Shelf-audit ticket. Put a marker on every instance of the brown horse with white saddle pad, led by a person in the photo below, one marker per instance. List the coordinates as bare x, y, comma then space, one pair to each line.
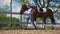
38, 14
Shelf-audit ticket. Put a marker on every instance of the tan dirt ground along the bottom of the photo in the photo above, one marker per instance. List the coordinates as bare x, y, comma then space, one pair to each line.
29, 31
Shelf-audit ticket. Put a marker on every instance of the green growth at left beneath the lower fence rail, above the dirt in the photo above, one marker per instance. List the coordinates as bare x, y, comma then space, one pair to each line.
9, 26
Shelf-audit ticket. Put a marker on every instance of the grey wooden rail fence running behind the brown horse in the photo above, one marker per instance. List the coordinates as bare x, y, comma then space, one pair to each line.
20, 19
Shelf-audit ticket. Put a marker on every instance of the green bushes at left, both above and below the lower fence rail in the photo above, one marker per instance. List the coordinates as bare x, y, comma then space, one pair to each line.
3, 18
